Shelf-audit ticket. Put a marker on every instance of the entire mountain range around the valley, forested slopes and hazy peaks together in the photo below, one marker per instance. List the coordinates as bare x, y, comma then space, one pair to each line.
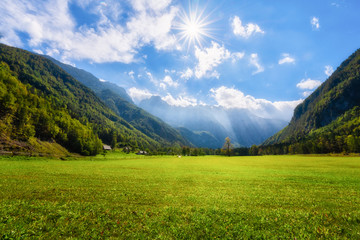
46, 105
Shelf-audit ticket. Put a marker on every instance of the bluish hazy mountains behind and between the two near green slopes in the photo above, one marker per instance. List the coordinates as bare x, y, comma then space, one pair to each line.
201, 126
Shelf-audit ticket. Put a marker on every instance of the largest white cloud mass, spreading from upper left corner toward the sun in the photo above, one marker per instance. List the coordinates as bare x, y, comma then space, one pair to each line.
50, 25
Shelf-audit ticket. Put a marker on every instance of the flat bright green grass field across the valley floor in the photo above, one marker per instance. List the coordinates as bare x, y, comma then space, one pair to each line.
132, 197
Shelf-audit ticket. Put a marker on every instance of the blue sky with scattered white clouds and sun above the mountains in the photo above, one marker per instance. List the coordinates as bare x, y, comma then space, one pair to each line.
260, 55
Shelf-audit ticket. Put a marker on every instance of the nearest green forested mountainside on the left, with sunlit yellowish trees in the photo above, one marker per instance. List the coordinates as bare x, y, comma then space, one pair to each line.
39, 102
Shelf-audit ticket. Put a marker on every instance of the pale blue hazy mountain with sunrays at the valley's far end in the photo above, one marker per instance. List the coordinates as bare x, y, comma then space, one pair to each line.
214, 123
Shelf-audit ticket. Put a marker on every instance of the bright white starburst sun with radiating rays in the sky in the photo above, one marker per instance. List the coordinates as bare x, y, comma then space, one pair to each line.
193, 27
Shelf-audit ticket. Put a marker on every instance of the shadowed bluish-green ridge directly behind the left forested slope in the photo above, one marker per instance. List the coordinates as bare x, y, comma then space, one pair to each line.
120, 102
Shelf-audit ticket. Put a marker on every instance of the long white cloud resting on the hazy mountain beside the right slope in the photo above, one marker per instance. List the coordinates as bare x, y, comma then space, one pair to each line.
233, 98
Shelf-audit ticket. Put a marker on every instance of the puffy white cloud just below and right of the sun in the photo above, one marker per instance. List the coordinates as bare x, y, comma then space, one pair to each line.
209, 58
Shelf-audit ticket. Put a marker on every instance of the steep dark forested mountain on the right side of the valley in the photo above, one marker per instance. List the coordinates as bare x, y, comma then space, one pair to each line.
328, 120
